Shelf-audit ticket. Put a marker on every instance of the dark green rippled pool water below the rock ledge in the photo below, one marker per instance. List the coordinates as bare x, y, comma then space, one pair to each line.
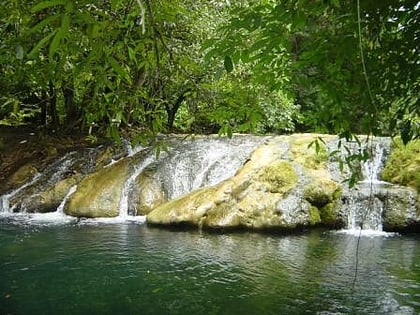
130, 268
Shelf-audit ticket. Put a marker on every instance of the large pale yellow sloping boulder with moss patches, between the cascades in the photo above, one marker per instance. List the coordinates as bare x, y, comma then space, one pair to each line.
270, 191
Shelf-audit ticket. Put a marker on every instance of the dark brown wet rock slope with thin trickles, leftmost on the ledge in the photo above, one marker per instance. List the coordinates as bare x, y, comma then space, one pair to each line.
43, 191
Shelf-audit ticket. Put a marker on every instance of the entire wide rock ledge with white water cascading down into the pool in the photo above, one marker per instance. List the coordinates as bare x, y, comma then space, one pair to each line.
281, 183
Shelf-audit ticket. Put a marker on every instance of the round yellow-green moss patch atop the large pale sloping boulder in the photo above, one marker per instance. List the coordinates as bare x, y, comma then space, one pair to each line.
278, 177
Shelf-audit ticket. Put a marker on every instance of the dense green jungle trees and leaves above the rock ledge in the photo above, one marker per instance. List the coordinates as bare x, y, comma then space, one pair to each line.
205, 66
